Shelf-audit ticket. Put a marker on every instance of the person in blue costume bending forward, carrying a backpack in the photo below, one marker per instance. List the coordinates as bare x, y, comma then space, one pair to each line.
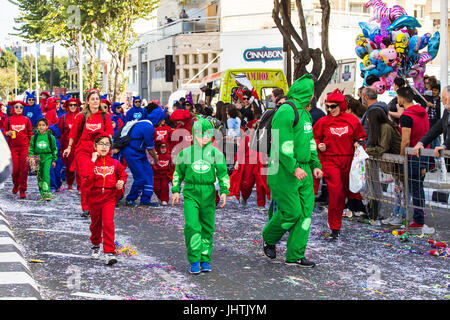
135, 155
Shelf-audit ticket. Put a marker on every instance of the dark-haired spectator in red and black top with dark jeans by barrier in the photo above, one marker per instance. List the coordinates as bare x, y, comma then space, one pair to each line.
414, 125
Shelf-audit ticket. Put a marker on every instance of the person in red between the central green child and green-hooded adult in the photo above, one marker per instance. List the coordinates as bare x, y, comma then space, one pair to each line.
247, 172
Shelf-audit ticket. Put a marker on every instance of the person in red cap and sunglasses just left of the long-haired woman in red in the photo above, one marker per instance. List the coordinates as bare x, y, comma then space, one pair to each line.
65, 125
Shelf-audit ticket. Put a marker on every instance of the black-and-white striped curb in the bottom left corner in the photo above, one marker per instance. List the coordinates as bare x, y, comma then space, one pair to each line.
16, 278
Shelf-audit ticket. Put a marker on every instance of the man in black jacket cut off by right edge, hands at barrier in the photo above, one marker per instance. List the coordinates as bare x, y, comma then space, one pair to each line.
441, 127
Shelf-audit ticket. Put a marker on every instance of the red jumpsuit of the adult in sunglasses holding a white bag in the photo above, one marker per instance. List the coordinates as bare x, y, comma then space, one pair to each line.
339, 135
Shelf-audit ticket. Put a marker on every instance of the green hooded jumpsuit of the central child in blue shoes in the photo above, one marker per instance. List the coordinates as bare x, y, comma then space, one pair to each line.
197, 166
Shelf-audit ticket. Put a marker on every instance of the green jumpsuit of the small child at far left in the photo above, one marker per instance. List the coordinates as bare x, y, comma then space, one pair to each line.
46, 157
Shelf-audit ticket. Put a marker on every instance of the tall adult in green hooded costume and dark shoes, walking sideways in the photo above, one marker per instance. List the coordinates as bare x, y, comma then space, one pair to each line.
292, 184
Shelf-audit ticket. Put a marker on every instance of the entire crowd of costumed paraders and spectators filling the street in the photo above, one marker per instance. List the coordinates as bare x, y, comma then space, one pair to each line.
93, 143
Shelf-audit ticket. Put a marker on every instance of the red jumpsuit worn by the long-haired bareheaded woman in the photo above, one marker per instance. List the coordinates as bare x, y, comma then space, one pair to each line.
84, 146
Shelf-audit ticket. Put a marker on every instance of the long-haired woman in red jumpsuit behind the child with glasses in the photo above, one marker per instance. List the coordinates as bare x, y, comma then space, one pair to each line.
87, 125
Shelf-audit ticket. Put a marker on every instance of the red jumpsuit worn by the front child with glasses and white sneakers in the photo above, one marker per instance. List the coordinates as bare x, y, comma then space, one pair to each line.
103, 195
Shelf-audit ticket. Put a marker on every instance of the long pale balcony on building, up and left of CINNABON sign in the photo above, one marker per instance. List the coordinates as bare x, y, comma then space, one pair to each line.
182, 26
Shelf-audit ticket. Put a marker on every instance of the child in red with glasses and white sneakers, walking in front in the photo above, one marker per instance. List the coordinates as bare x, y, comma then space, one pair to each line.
105, 184
